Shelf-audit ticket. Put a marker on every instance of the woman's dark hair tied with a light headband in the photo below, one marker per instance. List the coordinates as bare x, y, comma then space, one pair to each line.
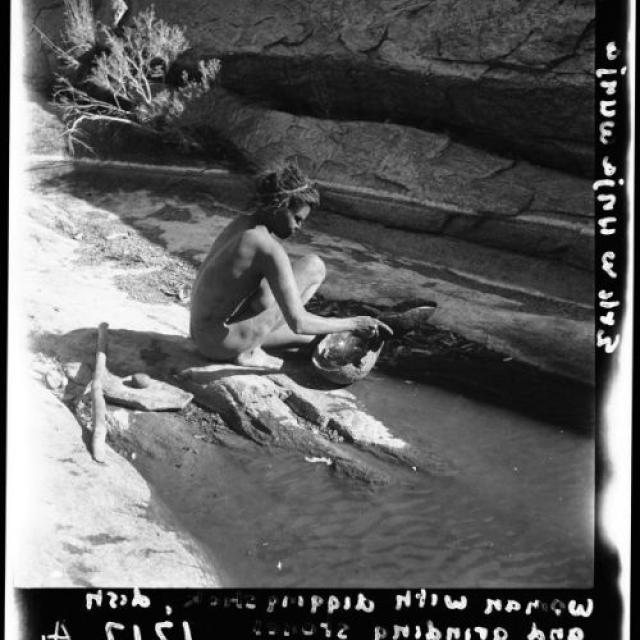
287, 187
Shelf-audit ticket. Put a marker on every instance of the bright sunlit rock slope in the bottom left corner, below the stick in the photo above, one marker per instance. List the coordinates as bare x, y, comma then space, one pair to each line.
82, 524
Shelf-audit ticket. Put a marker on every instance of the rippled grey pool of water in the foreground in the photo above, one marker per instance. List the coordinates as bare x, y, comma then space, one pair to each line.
517, 511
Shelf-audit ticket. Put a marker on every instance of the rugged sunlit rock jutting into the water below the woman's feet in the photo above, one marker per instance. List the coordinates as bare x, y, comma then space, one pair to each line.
292, 410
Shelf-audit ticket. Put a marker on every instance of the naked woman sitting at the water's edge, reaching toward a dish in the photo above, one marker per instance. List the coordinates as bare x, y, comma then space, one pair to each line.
248, 294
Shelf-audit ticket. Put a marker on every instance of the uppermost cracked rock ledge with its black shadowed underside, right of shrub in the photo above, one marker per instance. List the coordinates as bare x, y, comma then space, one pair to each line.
509, 75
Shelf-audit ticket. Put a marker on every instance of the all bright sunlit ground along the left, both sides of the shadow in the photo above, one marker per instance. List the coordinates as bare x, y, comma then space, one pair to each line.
76, 522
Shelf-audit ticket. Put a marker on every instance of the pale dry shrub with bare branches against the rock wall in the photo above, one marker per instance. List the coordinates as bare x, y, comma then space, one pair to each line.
126, 78
